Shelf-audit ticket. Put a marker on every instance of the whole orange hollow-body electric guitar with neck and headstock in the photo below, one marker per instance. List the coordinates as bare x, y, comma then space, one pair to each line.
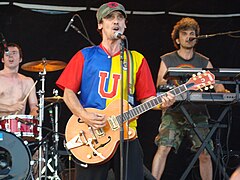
95, 146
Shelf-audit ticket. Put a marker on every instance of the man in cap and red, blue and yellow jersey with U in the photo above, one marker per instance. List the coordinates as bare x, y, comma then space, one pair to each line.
96, 72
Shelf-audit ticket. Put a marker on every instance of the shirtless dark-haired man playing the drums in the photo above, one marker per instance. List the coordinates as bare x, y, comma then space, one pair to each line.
16, 89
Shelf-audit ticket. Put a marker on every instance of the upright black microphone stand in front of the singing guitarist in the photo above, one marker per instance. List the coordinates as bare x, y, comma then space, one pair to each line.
122, 120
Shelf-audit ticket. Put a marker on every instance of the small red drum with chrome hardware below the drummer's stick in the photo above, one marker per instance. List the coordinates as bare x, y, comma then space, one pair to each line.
24, 126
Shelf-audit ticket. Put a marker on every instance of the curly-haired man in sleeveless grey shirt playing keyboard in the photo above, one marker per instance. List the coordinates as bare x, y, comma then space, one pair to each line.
174, 125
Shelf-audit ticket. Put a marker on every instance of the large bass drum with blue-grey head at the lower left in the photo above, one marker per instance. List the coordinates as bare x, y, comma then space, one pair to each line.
14, 156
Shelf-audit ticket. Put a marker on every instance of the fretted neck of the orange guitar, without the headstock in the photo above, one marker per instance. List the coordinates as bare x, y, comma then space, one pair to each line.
144, 107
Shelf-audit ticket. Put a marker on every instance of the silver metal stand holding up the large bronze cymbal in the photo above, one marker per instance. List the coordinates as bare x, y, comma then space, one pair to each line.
41, 117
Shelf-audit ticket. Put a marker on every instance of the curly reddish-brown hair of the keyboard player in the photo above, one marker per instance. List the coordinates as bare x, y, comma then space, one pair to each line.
184, 24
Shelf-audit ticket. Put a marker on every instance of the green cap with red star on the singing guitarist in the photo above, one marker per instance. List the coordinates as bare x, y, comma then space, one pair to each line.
109, 7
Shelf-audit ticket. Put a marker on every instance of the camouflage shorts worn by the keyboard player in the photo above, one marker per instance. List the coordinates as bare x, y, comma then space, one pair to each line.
175, 127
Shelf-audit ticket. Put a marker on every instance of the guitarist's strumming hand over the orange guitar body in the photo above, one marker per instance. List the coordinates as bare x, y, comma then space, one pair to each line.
93, 119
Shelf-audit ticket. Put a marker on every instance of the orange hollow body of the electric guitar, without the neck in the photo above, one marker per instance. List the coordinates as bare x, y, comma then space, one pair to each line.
105, 144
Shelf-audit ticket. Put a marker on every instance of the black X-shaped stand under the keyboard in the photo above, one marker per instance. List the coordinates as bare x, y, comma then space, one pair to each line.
204, 142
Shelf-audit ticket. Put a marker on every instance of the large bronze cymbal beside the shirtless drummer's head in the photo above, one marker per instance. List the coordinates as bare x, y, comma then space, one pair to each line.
38, 66
